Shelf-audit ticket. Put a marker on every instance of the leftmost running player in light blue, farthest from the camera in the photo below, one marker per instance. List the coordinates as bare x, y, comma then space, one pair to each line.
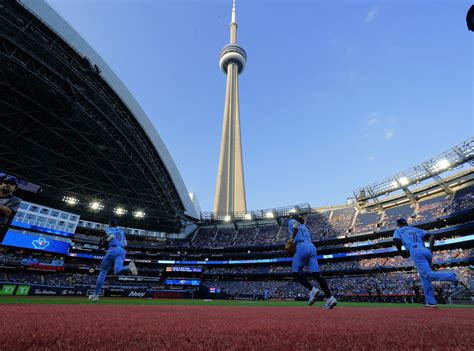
114, 257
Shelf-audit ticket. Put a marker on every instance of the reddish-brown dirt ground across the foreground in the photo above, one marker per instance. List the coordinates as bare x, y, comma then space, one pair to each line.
107, 327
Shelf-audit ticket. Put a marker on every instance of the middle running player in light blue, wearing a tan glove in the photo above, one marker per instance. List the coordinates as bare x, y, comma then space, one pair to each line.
305, 255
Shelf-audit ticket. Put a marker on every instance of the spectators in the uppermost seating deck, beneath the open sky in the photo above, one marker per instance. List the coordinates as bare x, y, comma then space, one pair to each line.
335, 223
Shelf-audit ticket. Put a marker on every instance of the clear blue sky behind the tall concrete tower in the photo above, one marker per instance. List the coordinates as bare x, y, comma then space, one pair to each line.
336, 94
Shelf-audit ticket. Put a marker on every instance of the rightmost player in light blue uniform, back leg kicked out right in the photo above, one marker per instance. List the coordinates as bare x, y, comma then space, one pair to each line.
413, 240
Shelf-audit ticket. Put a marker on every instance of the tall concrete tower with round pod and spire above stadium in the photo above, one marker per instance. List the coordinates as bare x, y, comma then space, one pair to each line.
230, 186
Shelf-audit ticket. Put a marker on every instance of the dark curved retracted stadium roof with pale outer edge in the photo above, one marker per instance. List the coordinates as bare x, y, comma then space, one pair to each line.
70, 125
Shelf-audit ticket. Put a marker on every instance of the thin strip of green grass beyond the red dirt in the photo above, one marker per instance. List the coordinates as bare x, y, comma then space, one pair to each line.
189, 302
